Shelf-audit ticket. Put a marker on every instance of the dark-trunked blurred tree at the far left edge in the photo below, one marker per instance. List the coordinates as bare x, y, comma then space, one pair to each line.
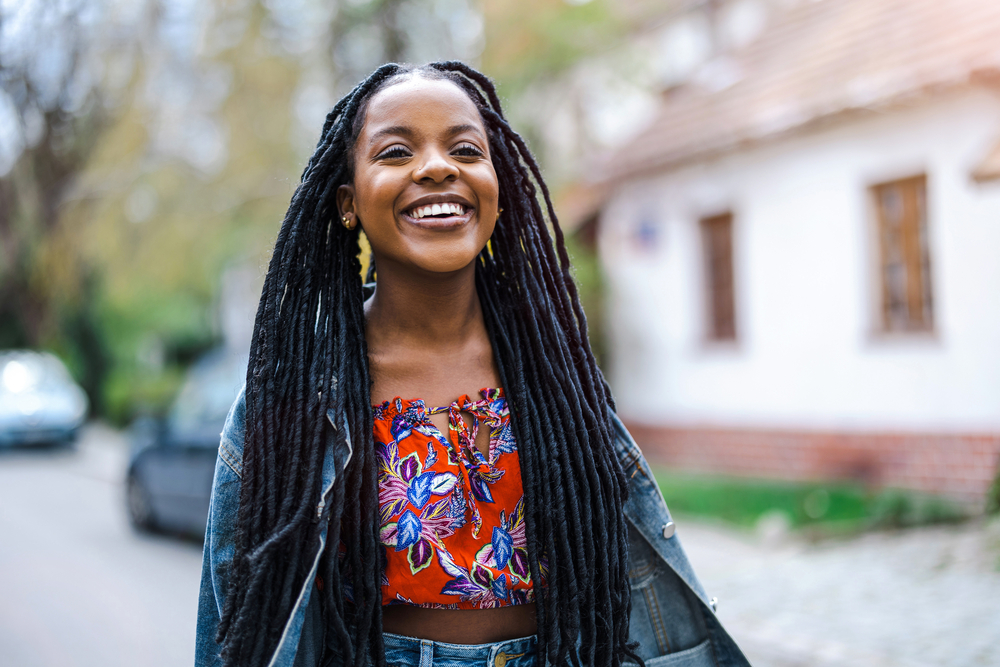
54, 111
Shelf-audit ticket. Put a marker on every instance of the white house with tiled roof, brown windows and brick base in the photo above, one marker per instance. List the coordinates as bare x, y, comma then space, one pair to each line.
802, 252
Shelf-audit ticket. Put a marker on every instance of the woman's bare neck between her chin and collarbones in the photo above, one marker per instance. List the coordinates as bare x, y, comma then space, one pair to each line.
424, 310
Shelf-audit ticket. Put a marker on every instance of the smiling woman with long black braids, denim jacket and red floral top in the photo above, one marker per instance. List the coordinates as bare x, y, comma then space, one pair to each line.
346, 528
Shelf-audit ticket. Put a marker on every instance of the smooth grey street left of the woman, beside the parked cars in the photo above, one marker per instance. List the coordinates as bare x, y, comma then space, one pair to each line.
78, 588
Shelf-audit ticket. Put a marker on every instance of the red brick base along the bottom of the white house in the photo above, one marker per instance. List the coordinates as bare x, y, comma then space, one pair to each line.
960, 466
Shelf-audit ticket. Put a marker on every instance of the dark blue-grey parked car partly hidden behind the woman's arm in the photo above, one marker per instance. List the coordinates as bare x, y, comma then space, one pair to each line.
169, 478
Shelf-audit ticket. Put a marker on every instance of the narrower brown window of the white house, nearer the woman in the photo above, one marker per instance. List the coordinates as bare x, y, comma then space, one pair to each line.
717, 239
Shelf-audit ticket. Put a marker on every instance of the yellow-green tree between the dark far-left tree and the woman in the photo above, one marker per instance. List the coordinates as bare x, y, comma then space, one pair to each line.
193, 164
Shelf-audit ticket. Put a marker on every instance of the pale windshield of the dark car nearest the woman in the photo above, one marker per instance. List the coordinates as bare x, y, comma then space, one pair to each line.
209, 391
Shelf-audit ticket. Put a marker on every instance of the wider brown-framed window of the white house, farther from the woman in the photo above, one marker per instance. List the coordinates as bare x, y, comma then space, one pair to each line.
904, 258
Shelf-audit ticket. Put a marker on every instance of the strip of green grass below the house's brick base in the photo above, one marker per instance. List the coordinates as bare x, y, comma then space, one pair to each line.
832, 506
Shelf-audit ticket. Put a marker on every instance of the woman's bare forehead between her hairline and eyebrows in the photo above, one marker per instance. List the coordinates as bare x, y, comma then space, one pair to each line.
423, 104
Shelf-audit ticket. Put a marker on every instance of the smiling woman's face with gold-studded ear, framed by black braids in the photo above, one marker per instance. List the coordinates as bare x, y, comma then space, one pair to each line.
424, 191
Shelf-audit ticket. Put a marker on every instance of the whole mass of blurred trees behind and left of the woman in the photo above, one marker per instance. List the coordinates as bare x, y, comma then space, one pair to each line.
151, 144
